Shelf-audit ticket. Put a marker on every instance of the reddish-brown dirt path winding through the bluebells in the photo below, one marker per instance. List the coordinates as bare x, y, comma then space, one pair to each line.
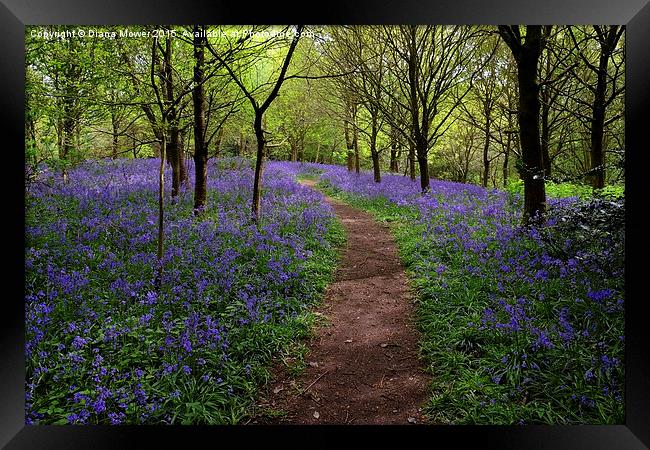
362, 367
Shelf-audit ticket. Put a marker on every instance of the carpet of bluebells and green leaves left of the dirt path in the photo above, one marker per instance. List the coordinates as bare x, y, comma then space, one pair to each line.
105, 346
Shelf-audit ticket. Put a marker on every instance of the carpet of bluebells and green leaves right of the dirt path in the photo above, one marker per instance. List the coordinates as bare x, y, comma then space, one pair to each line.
520, 324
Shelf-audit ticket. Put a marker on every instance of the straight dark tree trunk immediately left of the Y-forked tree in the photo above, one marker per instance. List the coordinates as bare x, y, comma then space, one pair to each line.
200, 149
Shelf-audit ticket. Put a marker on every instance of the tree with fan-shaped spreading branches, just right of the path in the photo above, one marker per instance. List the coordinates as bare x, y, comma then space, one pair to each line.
429, 65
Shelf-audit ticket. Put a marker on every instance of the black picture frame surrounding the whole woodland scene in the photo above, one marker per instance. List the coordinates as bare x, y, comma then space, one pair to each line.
16, 14
